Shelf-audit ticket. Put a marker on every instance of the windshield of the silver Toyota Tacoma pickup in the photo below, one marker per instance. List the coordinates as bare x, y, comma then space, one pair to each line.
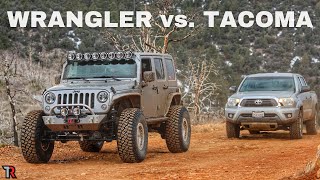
268, 84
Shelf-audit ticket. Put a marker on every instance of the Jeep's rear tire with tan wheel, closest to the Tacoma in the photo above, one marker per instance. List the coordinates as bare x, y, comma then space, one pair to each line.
178, 129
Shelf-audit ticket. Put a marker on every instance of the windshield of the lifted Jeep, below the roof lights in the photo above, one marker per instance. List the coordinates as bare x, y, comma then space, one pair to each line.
100, 69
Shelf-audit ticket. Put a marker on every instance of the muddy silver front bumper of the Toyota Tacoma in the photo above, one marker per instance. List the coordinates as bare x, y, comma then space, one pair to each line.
272, 115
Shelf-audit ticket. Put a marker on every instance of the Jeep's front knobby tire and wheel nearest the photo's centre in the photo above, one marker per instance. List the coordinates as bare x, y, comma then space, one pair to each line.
132, 136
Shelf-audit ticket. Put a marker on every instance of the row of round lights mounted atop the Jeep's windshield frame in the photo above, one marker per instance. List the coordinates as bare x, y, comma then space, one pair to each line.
100, 56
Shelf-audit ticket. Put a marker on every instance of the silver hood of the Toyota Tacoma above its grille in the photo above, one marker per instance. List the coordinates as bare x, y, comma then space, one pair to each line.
263, 94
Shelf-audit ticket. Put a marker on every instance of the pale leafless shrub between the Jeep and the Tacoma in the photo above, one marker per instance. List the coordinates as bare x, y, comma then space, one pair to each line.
199, 89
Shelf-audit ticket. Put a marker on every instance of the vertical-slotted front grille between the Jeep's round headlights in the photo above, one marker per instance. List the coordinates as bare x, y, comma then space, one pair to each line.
77, 98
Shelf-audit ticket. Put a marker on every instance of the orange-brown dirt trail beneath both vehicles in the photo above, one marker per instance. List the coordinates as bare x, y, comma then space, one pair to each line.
211, 156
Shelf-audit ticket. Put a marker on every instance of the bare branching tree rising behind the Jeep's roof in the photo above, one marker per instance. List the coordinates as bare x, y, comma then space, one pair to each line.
156, 38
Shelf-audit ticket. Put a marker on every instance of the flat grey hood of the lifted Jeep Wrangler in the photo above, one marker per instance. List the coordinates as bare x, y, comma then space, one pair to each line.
94, 85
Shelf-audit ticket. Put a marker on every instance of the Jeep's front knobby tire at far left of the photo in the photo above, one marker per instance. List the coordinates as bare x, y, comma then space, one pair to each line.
34, 150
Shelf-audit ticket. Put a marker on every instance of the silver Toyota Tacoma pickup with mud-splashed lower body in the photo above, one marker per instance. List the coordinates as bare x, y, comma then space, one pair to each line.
269, 102
